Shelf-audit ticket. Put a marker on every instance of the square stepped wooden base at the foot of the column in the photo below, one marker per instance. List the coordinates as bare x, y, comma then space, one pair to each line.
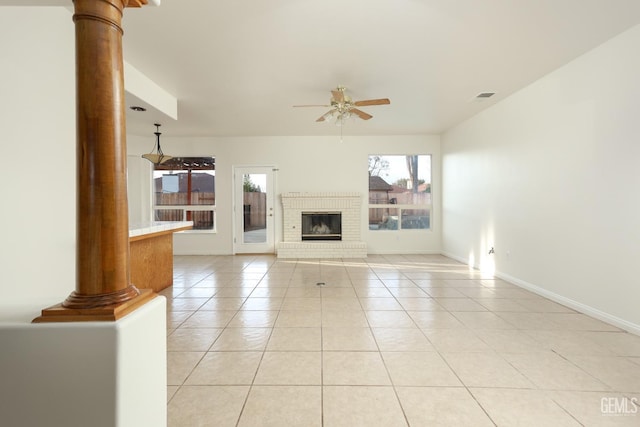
107, 313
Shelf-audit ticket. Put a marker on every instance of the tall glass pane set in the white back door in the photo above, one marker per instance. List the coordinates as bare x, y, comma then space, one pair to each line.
254, 208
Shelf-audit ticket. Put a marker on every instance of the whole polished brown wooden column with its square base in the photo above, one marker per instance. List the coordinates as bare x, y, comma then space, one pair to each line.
103, 289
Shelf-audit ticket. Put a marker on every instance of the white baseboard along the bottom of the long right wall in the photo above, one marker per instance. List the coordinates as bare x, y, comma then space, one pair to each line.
560, 299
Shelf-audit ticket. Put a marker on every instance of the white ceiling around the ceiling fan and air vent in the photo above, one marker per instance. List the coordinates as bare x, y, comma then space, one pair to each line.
238, 66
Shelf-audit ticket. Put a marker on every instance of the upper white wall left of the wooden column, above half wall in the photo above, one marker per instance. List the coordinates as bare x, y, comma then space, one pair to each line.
37, 119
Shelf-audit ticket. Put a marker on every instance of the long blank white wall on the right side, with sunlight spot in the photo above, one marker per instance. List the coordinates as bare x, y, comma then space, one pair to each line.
550, 178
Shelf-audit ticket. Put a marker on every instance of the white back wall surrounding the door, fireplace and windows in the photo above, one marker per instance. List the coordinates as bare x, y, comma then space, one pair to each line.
304, 164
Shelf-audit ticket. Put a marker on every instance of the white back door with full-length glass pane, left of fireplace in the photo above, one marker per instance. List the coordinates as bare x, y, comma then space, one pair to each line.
253, 209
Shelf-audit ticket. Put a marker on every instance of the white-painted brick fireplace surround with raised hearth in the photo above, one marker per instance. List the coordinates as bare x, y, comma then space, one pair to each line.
294, 205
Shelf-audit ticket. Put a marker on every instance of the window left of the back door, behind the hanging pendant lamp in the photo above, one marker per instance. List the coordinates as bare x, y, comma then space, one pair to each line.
184, 190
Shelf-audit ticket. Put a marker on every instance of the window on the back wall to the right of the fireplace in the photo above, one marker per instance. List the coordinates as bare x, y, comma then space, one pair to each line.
399, 192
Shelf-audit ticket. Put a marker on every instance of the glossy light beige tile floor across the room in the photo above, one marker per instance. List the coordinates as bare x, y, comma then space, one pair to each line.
414, 340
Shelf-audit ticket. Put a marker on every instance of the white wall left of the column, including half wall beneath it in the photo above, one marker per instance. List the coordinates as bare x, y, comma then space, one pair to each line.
63, 373
